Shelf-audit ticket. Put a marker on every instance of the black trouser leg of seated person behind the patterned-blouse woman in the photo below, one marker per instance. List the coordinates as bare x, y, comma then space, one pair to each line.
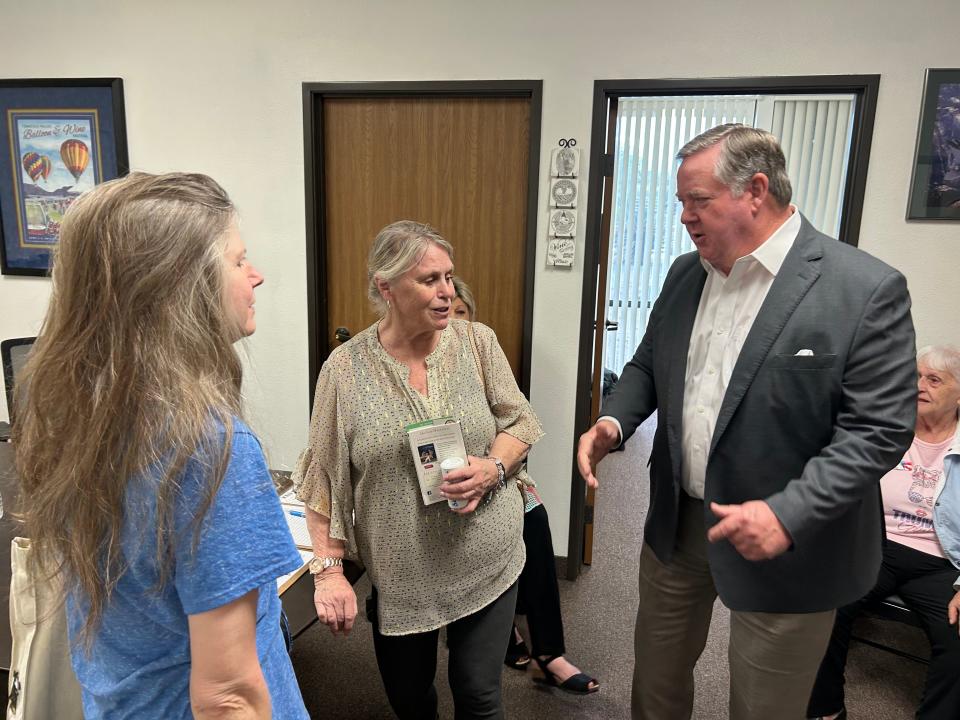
539, 595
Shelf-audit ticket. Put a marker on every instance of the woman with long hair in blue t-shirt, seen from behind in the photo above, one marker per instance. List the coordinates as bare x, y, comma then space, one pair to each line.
142, 489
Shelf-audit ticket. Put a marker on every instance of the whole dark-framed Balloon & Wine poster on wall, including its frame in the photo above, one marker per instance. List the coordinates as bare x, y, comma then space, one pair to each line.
58, 138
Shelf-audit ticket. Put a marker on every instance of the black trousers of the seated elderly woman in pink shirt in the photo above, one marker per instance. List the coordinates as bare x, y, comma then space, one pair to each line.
925, 583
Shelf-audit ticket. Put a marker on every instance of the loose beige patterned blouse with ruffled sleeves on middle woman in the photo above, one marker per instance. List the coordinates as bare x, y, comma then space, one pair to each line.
430, 566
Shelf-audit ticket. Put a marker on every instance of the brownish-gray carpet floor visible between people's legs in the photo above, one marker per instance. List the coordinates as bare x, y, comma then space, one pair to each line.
339, 676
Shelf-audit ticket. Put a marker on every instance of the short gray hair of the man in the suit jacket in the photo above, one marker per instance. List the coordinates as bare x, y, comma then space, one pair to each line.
745, 152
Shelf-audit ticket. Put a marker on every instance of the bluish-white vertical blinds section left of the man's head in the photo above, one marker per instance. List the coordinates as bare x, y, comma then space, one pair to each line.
646, 235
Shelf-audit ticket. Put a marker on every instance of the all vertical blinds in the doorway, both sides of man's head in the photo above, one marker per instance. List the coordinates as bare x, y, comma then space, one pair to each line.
646, 235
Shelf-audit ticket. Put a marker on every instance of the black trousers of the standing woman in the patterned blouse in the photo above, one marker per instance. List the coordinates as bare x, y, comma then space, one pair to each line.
477, 644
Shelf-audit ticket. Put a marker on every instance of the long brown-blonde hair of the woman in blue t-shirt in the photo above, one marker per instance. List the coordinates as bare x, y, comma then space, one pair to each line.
134, 369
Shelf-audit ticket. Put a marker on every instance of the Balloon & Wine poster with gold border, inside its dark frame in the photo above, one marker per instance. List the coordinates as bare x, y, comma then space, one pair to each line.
57, 158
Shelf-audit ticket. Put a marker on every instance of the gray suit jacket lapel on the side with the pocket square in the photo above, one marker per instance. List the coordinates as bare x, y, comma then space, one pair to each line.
799, 271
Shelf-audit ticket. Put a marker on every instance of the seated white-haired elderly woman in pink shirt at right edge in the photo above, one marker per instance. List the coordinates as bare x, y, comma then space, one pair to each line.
921, 505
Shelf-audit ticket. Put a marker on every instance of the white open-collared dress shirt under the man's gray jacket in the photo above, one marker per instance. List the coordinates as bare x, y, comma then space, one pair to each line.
728, 306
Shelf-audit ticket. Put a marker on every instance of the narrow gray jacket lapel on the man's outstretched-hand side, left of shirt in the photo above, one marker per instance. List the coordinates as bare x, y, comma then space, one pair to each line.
682, 314
